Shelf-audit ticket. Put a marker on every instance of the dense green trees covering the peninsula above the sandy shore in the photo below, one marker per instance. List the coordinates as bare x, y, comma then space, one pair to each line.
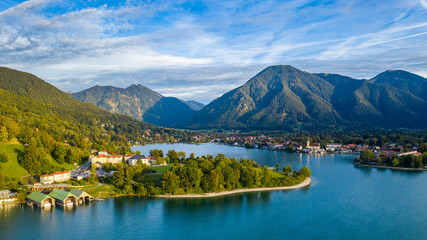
202, 175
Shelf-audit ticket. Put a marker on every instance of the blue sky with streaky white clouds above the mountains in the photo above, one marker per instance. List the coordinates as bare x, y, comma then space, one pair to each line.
202, 49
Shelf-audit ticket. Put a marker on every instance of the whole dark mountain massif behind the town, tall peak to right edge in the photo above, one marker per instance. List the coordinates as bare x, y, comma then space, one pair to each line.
285, 98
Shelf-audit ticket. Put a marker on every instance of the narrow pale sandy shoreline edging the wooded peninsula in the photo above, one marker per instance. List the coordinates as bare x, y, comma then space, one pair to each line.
305, 183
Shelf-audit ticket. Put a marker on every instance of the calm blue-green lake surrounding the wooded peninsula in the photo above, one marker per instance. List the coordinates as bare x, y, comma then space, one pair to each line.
343, 202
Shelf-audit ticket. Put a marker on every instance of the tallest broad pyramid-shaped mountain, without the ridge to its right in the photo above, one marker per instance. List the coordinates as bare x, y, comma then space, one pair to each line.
279, 97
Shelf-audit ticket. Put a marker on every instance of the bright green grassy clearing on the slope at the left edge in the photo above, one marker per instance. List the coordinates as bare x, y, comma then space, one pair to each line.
12, 168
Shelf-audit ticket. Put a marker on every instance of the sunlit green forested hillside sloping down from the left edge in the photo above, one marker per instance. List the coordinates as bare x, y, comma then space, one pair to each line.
57, 131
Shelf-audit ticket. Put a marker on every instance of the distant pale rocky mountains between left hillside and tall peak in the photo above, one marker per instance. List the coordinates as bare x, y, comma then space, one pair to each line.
139, 102
